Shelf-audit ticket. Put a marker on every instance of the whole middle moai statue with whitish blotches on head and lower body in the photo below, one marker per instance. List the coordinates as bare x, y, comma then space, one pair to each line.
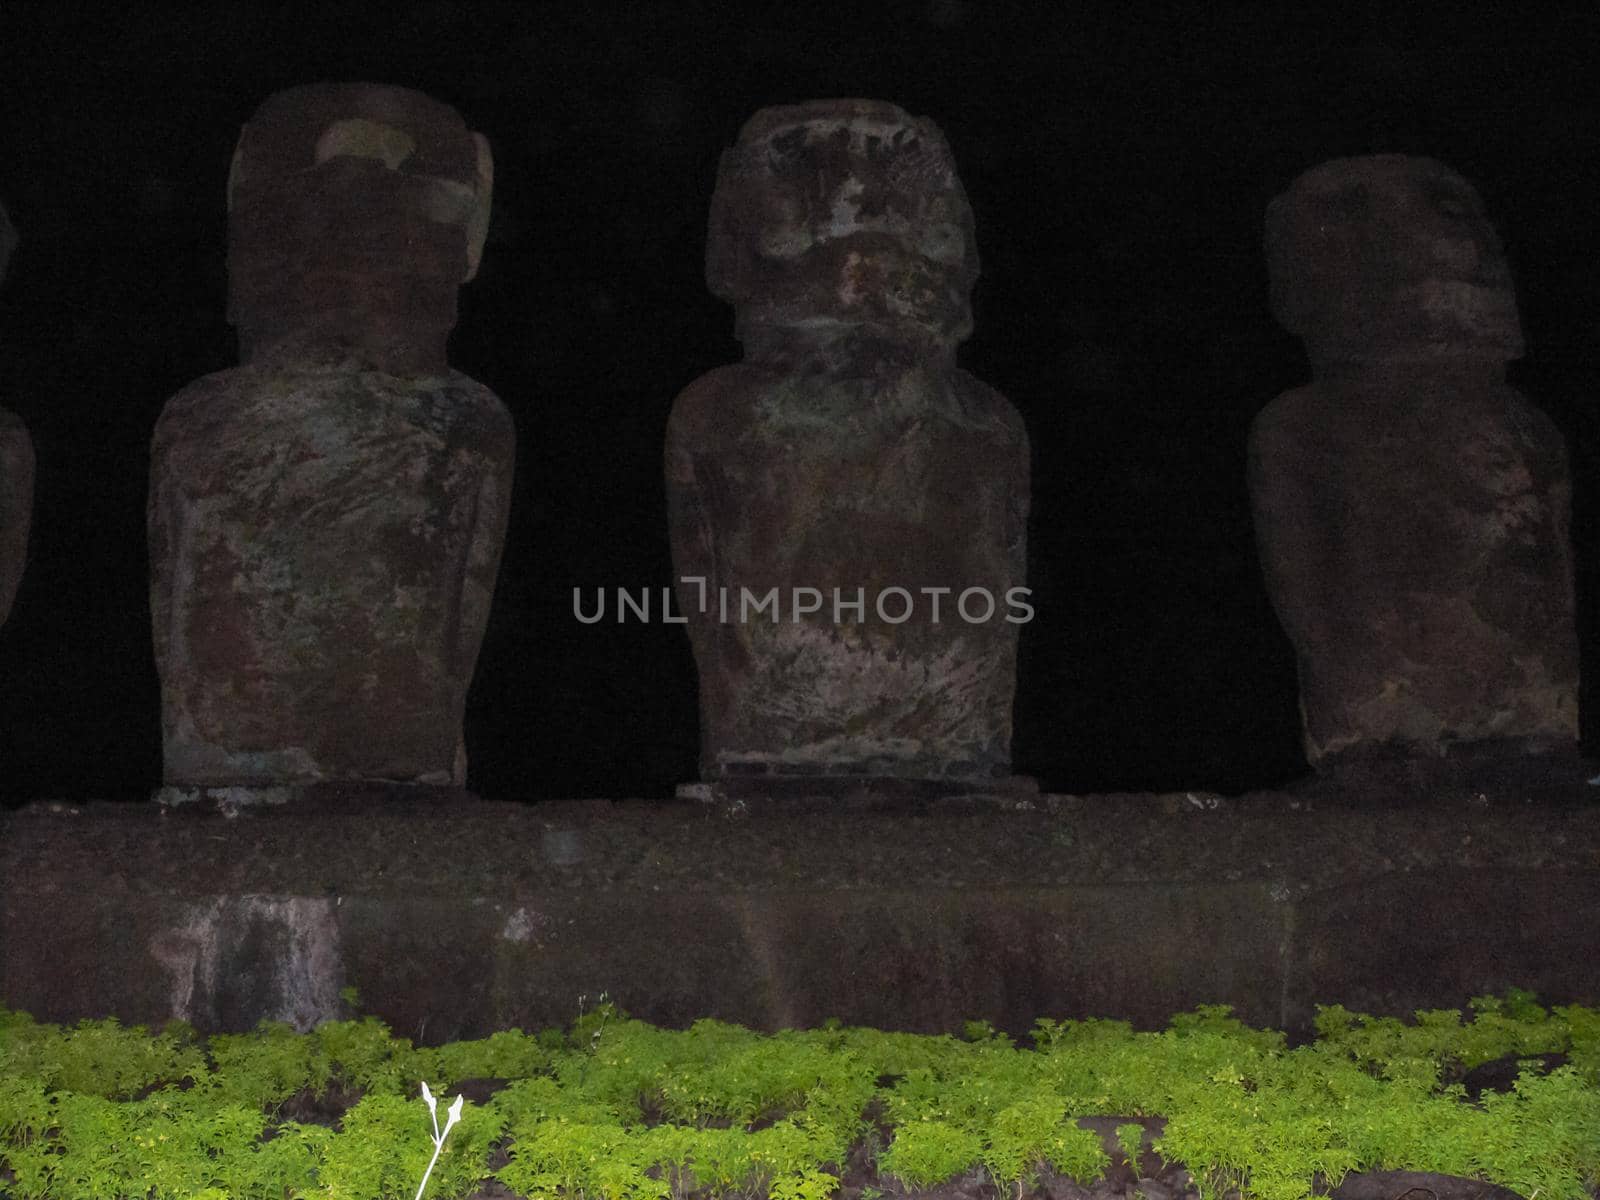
847, 506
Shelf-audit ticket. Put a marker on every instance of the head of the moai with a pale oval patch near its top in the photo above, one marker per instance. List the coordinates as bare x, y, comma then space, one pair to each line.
356, 210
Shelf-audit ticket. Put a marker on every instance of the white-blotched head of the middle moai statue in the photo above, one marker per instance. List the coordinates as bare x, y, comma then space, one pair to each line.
844, 212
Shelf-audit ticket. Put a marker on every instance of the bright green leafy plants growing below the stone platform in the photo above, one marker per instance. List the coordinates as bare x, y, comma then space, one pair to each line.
617, 1110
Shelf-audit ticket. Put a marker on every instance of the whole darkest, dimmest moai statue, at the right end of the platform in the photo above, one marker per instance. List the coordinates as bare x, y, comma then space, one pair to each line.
1410, 508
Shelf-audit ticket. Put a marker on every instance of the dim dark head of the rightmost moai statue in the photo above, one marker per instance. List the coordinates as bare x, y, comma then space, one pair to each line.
1390, 258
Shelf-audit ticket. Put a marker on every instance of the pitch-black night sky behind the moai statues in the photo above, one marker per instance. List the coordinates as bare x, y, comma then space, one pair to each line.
1119, 164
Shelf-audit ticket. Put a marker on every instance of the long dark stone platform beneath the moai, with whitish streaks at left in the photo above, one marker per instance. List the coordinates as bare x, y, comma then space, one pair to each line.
455, 916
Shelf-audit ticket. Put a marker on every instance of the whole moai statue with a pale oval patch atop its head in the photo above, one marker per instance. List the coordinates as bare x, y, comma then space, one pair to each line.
327, 519
